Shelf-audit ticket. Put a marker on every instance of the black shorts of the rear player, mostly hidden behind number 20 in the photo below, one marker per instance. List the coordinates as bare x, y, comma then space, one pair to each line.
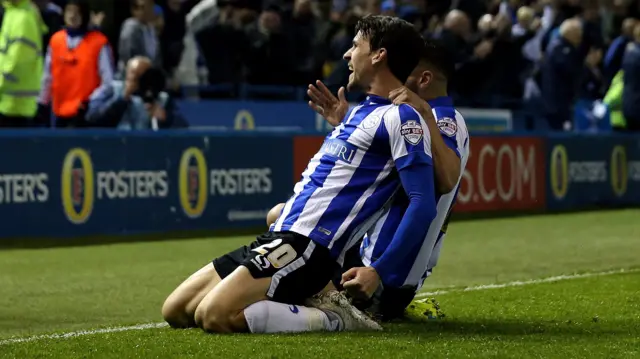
386, 305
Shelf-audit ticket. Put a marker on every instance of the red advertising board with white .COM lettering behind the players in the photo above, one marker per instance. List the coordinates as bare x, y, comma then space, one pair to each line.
502, 174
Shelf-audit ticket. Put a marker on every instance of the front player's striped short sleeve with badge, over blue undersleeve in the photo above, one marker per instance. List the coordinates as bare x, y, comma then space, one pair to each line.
408, 137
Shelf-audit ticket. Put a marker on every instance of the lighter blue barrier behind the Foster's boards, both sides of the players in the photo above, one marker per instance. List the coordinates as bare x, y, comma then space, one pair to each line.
287, 116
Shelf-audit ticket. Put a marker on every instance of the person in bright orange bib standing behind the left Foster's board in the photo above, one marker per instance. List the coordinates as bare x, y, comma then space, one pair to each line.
78, 68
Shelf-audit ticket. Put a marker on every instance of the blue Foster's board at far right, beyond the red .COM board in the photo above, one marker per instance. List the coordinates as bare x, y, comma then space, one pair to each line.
592, 171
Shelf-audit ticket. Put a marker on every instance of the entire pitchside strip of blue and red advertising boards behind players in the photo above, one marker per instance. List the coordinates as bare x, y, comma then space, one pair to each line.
83, 183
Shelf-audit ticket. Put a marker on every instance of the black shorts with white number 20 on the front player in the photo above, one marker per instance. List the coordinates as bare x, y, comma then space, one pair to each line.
299, 268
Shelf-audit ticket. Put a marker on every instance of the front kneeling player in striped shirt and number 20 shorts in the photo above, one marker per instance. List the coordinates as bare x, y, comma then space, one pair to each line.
345, 184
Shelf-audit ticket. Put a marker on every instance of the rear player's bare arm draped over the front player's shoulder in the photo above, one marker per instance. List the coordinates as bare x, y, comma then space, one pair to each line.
446, 158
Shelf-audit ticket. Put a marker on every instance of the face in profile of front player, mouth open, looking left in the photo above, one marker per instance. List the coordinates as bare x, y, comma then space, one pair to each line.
360, 61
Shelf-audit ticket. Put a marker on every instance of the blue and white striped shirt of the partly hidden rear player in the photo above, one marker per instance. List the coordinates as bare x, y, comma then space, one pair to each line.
454, 132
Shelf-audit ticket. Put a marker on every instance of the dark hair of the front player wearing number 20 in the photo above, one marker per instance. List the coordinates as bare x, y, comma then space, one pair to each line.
399, 38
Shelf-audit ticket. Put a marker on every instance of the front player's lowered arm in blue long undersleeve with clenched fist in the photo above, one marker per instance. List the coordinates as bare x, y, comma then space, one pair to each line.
414, 163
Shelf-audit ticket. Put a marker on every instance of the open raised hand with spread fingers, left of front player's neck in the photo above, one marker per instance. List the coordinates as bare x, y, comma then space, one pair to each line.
332, 108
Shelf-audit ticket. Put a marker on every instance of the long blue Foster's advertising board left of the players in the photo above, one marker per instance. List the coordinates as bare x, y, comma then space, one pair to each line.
71, 185
